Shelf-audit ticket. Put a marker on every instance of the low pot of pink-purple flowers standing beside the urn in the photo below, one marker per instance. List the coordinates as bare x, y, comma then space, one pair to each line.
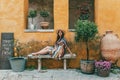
103, 68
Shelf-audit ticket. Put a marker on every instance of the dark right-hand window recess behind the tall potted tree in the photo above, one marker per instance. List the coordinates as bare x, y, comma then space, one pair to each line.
80, 9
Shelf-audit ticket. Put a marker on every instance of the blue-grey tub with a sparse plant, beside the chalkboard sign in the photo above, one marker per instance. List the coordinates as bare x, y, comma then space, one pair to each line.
18, 62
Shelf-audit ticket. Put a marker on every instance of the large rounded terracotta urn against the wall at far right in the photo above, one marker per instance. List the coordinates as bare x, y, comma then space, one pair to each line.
110, 46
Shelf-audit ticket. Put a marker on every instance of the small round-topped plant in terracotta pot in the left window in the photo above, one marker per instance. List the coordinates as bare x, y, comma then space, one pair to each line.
44, 24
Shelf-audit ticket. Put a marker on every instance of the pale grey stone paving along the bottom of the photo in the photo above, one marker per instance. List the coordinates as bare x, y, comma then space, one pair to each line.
53, 74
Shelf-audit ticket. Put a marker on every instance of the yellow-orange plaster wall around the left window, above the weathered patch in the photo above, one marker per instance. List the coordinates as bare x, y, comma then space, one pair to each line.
14, 16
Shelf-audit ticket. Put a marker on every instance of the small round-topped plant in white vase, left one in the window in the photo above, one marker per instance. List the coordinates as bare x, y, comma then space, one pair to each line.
32, 14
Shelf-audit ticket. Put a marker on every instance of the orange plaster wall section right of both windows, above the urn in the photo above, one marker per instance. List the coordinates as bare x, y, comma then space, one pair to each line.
107, 15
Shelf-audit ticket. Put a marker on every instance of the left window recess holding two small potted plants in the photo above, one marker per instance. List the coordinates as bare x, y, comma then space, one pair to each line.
40, 15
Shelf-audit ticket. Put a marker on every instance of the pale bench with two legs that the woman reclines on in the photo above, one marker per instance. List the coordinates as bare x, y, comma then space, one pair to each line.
64, 58
